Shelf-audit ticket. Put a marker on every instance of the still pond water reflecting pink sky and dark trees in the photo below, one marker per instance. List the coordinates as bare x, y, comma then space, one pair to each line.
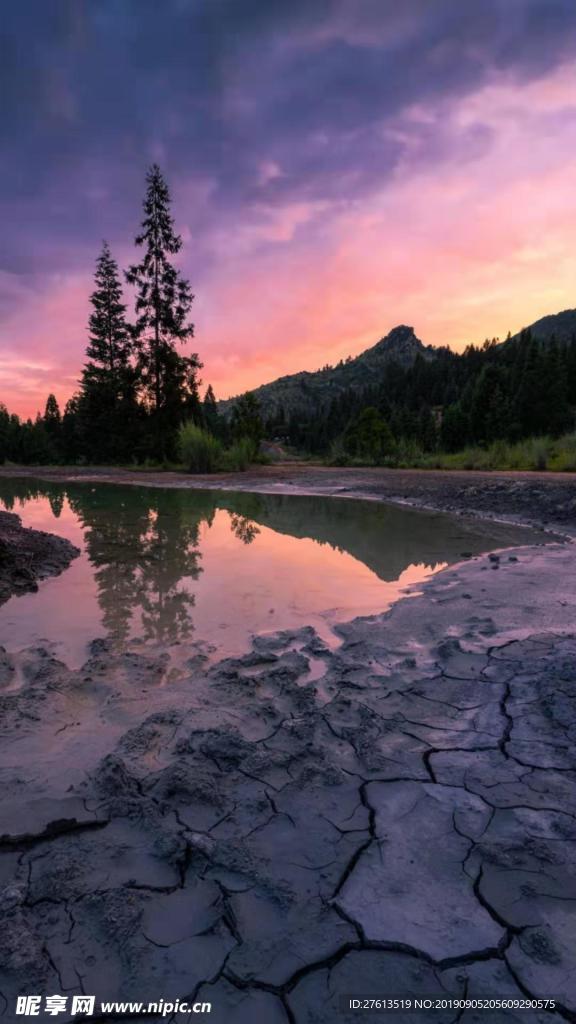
212, 569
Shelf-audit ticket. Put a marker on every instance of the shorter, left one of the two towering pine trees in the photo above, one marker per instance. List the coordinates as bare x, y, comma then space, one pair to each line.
108, 409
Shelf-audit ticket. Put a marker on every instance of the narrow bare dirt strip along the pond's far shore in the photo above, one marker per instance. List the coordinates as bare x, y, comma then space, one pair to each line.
539, 499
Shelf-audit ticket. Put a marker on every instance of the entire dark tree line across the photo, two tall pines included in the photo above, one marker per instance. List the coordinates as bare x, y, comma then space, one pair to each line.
139, 397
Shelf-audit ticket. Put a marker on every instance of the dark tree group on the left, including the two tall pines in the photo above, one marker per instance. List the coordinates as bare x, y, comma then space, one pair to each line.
137, 389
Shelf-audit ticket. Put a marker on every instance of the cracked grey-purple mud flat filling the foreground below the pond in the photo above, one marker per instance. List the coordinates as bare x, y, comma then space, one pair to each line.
394, 817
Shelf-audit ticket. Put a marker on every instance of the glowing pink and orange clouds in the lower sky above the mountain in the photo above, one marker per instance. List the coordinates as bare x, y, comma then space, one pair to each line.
473, 247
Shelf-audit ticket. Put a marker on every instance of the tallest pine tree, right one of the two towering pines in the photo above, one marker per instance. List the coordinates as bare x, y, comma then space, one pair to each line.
163, 304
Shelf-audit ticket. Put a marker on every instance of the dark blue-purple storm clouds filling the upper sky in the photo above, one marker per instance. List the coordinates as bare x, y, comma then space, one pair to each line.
219, 90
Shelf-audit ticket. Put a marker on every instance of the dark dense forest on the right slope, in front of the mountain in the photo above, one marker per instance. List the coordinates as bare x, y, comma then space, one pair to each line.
510, 392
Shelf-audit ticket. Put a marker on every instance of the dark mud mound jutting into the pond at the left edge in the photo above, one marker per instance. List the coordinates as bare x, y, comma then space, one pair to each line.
29, 556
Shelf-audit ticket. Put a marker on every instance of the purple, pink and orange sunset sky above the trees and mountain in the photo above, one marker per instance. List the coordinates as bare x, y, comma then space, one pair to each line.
338, 167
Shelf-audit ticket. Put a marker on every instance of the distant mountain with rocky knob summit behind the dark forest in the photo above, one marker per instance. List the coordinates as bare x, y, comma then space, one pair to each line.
305, 392
